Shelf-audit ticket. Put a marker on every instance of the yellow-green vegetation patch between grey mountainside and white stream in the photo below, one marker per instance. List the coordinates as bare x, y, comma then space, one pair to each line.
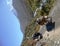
33, 4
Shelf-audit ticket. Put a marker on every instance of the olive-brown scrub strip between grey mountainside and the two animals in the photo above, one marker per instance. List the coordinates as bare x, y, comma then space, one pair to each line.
30, 29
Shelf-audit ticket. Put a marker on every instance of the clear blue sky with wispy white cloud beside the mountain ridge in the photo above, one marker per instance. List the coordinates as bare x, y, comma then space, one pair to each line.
10, 32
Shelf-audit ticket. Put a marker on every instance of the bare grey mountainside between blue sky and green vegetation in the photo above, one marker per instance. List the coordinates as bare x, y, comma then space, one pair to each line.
23, 13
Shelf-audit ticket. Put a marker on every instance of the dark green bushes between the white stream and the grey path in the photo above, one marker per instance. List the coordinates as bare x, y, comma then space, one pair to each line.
45, 9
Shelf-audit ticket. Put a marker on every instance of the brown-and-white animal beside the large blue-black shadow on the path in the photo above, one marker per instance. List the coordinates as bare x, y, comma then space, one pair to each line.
44, 20
